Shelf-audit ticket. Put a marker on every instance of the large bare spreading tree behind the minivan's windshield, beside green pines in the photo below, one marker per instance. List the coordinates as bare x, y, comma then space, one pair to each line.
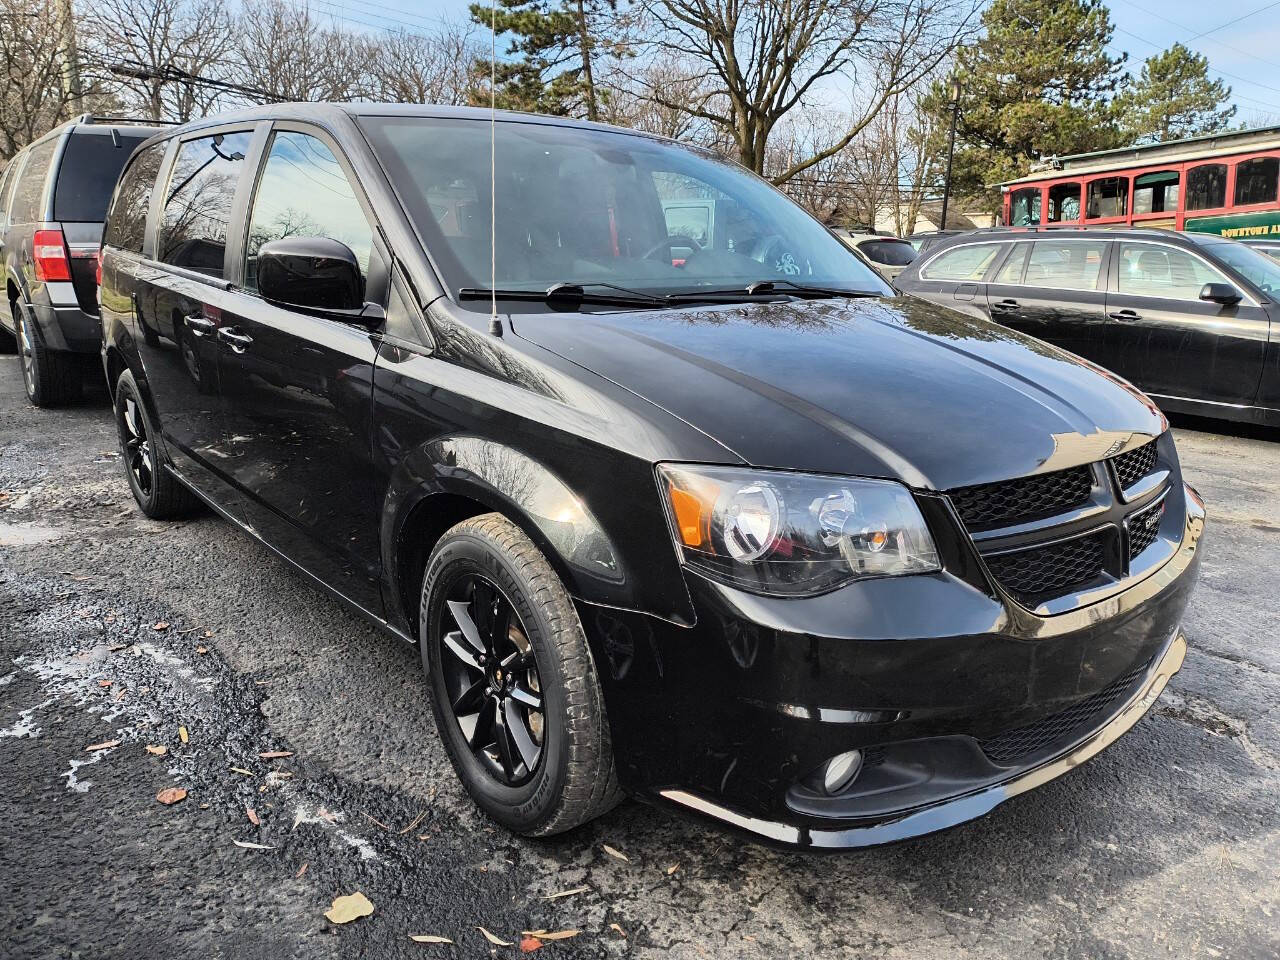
766, 58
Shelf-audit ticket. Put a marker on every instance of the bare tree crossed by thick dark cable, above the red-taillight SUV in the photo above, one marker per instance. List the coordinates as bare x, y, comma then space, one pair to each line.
164, 43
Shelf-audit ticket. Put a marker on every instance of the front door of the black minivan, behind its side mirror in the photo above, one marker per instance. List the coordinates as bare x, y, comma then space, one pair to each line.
298, 388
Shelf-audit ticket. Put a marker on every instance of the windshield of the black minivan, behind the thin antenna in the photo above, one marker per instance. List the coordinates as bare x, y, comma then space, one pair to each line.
595, 207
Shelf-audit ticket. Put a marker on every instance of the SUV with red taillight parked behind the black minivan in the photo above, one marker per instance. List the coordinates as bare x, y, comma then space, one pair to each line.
53, 200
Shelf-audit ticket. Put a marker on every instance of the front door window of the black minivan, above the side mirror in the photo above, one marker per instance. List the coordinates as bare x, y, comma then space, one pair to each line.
304, 193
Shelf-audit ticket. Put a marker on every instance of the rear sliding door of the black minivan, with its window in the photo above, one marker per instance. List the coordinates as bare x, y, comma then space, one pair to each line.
177, 305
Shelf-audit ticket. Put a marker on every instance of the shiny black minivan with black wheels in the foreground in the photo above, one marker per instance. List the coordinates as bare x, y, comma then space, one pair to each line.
746, 534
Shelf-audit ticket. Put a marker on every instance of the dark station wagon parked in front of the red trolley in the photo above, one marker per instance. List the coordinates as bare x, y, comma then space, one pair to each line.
1188, 318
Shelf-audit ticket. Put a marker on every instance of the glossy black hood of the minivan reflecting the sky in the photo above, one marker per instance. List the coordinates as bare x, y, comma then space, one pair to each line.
895, 388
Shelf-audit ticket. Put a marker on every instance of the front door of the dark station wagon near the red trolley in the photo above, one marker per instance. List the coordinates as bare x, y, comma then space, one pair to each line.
1183, 346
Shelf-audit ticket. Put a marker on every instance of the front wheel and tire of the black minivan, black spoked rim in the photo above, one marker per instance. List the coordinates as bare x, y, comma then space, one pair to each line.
573, 779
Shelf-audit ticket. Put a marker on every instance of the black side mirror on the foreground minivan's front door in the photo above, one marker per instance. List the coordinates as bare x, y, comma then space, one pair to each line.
310, 273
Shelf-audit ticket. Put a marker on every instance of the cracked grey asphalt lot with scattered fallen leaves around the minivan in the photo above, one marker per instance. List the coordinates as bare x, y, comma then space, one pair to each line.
1167, 845
